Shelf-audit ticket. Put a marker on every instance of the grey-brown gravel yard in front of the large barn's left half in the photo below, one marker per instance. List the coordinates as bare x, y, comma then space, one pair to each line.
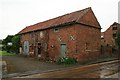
19, 64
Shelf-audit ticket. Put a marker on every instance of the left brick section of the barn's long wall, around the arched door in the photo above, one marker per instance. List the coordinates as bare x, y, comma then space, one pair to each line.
34, 40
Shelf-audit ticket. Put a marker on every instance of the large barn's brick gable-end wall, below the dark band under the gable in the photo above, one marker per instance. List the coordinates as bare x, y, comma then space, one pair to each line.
88, 42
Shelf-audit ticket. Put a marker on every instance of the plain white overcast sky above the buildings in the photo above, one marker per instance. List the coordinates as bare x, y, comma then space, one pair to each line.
17, 14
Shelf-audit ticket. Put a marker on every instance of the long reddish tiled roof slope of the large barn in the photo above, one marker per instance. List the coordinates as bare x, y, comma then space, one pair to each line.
70, 17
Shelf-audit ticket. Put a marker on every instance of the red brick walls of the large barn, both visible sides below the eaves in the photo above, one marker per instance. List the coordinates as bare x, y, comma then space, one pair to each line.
76, 48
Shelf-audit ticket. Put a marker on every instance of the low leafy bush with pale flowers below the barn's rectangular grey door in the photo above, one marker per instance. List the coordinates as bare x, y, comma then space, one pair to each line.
66, 60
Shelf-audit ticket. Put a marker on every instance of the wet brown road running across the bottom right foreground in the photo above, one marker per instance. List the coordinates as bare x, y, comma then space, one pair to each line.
100, 70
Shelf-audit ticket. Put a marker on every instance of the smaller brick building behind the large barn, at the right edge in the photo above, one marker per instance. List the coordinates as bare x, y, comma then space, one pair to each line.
108, 37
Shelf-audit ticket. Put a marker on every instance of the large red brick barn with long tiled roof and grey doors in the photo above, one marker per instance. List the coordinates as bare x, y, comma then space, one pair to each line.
76, 34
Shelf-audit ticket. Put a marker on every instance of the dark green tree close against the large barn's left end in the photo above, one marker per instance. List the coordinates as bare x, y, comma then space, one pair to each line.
16, 44
